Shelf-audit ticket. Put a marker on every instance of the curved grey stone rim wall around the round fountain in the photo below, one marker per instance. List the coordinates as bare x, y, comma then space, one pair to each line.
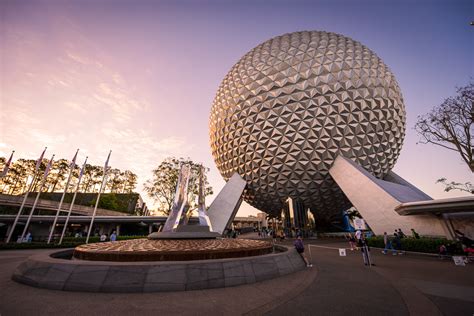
44, 271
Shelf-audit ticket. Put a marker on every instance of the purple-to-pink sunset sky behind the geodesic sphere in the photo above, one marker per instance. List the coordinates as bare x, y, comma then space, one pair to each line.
139, 77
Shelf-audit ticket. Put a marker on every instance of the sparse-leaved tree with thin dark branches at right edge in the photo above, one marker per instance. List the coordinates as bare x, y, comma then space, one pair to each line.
450, 125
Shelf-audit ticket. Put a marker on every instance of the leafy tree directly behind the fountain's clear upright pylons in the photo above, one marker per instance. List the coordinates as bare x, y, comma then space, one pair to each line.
162, 187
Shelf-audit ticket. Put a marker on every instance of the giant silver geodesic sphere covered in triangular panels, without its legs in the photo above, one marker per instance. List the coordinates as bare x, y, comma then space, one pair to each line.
292, 104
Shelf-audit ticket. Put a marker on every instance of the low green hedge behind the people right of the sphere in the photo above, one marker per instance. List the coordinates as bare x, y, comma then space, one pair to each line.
426, 245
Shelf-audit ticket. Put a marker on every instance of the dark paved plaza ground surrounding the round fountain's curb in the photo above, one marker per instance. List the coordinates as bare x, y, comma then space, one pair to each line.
397, 285
